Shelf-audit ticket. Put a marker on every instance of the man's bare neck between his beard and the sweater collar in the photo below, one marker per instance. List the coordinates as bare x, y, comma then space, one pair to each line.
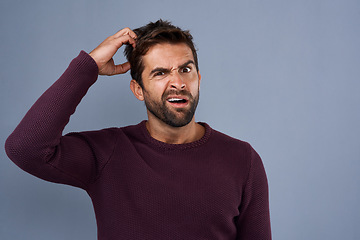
174, 135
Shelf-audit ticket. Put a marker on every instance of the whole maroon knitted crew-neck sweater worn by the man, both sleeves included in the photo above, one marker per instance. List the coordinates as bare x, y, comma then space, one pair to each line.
214, 188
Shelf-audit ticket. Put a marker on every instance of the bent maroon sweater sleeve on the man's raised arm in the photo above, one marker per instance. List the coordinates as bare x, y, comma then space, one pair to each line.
37, 145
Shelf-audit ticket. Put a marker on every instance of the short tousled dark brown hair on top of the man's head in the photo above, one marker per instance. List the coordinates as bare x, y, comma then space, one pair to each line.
150, 35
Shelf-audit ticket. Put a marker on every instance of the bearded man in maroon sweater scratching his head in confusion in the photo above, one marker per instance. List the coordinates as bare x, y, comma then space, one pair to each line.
165, 178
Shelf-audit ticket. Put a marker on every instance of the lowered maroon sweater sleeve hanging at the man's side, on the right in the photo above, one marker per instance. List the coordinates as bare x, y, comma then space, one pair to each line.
254, 217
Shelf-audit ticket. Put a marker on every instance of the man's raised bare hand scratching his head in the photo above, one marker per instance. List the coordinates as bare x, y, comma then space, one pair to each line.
103, 54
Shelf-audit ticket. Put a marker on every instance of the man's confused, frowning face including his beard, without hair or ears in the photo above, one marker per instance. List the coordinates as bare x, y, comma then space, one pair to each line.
171, 83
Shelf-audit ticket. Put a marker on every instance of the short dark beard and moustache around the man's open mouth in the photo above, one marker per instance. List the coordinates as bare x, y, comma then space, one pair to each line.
176, 118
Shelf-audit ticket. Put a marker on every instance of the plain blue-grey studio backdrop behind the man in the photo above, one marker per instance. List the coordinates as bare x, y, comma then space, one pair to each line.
282, 75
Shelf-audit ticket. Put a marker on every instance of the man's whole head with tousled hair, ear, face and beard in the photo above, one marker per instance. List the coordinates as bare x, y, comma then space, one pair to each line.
164, 68
